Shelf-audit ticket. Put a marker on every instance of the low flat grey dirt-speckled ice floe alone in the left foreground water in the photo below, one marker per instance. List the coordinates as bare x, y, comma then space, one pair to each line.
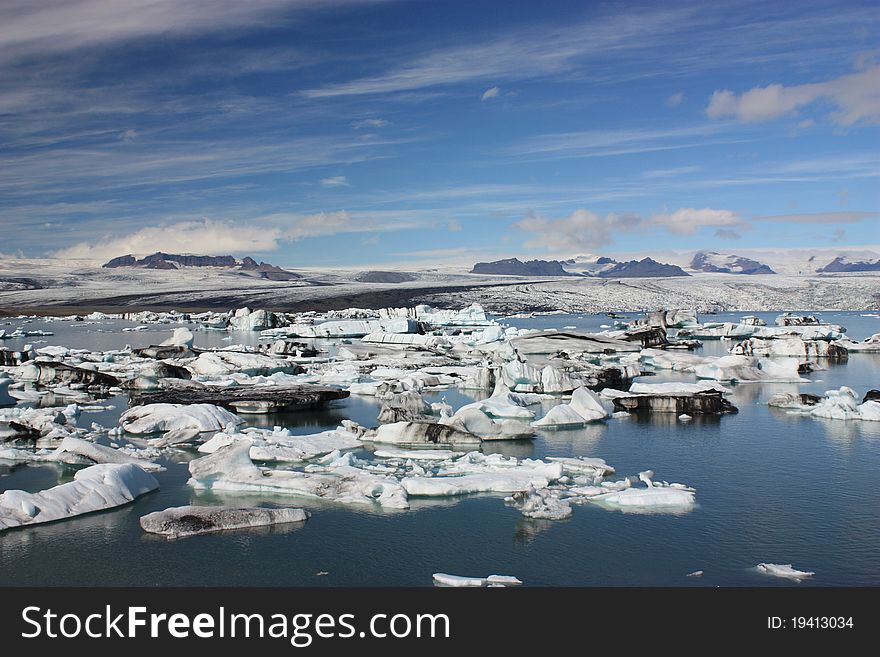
182, 521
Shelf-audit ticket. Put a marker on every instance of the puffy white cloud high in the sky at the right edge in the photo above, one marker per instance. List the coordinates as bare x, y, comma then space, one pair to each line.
856, 97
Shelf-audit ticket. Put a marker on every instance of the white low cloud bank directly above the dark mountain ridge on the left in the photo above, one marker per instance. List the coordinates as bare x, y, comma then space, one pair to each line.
205, 237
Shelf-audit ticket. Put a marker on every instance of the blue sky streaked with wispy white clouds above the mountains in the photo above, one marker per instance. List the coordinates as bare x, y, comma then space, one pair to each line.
347, 132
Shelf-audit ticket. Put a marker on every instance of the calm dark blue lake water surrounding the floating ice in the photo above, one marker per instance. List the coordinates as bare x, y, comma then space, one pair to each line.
771, 487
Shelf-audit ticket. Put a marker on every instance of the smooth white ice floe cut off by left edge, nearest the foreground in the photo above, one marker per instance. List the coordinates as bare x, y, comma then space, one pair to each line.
95, 488
